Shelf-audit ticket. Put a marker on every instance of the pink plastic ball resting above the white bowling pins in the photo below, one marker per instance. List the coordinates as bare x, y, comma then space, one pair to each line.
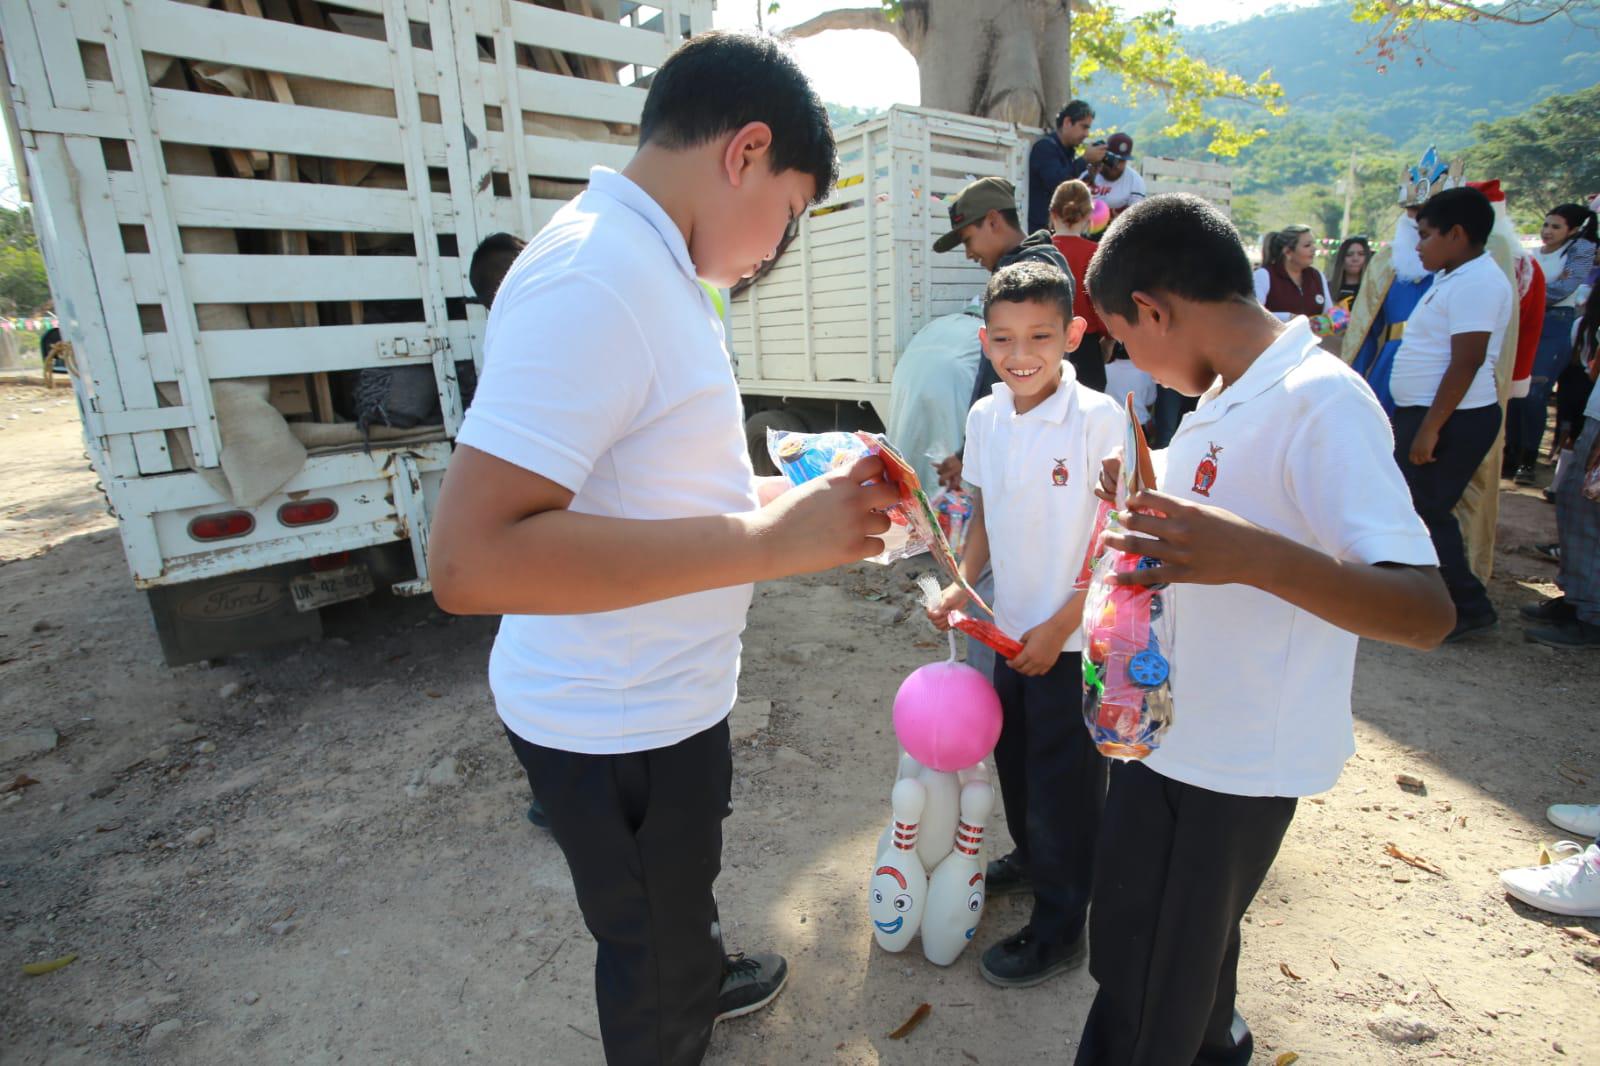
948, 716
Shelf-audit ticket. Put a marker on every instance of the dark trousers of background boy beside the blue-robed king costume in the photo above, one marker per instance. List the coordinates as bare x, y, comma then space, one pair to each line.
1438, 487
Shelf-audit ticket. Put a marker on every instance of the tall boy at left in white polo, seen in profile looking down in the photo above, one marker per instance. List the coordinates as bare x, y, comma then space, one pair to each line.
602, 500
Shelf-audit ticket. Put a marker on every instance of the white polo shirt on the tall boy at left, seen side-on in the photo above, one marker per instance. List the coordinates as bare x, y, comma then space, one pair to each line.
606, 372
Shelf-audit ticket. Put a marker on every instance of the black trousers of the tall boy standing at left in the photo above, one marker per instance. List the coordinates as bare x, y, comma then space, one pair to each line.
642, 835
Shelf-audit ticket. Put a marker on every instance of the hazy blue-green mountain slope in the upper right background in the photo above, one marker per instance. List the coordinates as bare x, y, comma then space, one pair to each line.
1468, 74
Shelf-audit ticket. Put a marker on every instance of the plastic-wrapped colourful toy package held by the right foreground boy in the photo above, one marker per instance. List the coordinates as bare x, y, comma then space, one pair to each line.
1127, 630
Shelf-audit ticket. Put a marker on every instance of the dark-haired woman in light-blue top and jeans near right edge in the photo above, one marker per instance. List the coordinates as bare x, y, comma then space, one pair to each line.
1567, 255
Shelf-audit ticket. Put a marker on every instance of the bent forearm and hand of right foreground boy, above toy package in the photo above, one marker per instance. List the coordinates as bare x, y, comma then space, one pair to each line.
1204, 545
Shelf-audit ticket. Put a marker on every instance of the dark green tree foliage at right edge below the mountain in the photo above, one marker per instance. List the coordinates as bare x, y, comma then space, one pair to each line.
1542, 158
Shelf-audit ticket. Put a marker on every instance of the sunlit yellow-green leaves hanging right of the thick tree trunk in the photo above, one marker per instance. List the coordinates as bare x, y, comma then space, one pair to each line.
1151, 63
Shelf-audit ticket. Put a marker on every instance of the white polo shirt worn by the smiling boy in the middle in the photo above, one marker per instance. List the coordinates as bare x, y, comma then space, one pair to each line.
1038, 475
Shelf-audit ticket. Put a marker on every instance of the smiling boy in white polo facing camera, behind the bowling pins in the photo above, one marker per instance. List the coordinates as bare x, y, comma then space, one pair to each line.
1033, 452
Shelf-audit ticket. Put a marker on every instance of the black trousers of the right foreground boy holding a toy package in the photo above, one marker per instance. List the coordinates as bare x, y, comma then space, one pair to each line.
1175, 872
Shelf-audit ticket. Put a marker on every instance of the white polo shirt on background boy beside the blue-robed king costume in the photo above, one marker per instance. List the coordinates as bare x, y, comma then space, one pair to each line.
1473, 299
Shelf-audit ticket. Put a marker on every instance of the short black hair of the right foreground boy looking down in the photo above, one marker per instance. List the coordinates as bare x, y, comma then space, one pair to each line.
1174, 244
